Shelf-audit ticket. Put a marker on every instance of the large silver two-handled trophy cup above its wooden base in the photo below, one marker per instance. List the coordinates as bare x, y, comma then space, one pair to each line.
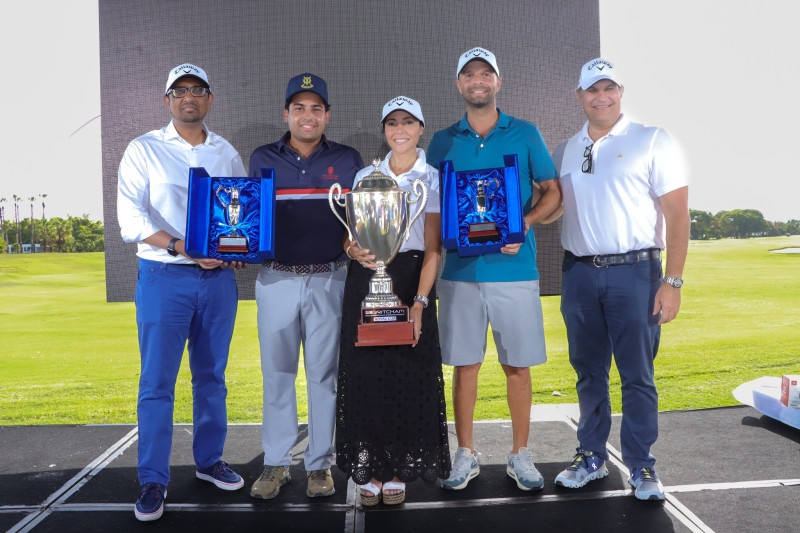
378, 219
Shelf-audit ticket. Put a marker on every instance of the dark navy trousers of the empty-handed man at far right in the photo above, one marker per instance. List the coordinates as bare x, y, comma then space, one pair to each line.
607, 311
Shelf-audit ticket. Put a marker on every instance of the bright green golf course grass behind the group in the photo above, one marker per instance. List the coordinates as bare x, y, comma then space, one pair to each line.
69, 357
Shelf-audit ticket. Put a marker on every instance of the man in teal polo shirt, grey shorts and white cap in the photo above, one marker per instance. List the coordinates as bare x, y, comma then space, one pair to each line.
501, 289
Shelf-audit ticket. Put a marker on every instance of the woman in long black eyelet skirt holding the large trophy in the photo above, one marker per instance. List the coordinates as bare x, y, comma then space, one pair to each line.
391, 425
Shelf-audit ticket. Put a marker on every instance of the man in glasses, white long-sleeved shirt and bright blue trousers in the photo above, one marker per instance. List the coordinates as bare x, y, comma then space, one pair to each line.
178, 298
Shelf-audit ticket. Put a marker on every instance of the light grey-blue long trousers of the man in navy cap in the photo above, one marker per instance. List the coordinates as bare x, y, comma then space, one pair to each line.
293, 310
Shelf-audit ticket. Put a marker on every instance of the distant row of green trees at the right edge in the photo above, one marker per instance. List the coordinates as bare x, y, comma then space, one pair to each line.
738, 224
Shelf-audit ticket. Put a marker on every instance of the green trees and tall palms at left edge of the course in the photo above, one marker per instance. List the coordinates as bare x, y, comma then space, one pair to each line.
56, 234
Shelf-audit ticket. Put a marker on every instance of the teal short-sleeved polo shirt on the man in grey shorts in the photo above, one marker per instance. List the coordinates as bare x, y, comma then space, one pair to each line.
468, 151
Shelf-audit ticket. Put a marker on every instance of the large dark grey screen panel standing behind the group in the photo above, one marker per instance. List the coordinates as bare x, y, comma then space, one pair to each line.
367, 51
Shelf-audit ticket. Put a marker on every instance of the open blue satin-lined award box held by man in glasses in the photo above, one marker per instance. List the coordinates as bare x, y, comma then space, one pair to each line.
232, 219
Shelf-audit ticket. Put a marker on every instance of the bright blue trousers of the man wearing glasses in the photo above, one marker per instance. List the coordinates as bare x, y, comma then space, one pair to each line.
176, 303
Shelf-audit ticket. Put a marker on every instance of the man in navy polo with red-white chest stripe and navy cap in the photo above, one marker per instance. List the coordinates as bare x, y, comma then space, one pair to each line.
299, 294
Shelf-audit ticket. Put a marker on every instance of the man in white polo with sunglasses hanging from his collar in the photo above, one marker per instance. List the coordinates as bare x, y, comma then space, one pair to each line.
625, 198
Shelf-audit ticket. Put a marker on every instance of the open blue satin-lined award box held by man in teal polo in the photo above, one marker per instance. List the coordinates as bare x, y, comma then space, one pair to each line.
481, 209
